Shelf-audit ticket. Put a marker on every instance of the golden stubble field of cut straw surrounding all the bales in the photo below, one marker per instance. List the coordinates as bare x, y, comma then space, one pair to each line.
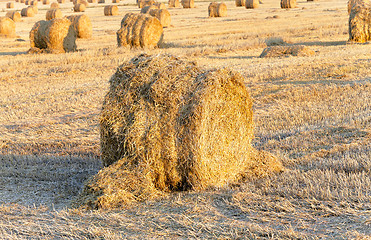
314, 113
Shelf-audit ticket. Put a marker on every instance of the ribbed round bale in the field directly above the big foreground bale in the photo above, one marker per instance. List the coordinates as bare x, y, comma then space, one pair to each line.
140, 30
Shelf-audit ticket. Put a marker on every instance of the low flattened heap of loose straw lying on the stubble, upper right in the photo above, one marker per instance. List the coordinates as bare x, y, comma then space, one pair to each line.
294, 50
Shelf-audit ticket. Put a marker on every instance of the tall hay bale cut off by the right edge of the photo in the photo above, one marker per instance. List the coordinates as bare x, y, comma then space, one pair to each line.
360, 23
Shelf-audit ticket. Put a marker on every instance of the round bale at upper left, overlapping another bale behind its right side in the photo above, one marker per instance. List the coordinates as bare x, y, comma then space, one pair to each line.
53, 36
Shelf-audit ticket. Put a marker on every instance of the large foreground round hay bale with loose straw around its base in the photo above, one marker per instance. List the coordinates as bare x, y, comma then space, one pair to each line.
168, 125
